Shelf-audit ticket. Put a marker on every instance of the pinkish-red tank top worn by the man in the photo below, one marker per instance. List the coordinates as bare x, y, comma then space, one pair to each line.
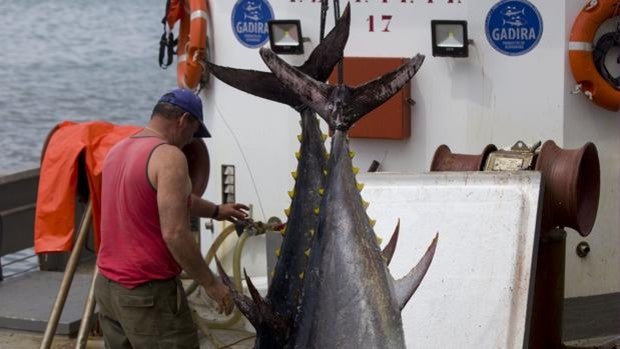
132, 250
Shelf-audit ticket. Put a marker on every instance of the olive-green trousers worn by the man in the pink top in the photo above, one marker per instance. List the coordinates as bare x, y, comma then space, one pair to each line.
152, 315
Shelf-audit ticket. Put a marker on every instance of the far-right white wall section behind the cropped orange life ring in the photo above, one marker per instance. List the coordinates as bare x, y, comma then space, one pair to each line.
585, 121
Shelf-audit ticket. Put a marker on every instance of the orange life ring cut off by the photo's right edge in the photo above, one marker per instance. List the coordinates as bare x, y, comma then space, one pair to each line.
589, 81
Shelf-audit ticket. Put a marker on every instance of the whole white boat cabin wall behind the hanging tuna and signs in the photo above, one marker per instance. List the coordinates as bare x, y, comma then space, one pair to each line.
465, 103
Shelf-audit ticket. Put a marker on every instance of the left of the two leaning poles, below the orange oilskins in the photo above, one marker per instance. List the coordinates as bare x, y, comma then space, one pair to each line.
59, 304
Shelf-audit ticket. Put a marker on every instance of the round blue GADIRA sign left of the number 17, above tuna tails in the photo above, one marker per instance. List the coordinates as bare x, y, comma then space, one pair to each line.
249, 22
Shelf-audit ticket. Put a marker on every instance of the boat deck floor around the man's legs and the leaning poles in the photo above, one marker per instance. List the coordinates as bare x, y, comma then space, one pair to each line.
27, 296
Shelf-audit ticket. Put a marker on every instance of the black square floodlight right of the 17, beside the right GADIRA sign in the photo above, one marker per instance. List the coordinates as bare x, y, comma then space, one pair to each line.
449, 38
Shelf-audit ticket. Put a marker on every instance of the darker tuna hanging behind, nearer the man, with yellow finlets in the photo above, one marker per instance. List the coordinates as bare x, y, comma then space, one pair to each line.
273, 317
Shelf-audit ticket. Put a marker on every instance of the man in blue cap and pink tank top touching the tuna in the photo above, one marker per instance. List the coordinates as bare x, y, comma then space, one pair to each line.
145, 234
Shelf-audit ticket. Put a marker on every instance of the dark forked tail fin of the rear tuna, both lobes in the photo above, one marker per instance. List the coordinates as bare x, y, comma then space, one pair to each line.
319, 65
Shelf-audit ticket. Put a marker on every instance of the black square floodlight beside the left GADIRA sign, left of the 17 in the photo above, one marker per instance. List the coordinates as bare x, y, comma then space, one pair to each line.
285, 36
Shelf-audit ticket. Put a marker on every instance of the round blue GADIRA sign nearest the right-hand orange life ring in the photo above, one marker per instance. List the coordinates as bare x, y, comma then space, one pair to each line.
513, 27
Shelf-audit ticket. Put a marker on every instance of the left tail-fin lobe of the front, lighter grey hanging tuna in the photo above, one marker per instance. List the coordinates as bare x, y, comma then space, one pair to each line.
312, 93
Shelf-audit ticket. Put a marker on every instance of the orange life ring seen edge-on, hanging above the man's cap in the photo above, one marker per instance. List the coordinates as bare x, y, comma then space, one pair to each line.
192, 44
